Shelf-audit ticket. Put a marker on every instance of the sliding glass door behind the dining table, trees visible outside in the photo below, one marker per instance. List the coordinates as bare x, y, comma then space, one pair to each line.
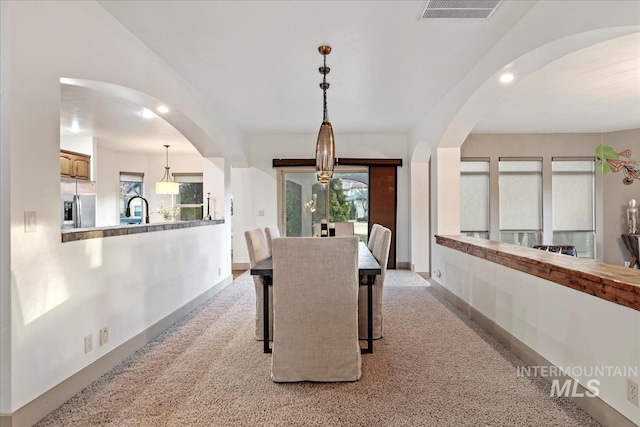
305, 202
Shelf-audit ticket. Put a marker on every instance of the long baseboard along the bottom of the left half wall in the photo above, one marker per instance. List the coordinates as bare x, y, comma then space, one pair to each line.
44, 404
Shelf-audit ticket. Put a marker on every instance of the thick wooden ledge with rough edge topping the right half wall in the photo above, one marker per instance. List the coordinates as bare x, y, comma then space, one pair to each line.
620, 285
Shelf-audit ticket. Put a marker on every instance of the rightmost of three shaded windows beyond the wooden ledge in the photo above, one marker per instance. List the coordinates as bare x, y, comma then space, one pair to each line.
573, 204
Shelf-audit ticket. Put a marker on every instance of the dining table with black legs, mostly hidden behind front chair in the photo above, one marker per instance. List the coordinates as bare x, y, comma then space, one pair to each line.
368, 269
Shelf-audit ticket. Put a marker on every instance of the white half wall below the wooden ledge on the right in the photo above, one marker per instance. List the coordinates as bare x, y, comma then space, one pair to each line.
567, 327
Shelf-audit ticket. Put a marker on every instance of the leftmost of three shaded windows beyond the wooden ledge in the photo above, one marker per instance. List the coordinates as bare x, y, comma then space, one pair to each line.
474, 198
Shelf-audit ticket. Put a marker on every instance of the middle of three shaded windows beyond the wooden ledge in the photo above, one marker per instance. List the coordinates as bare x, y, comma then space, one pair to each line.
520, 200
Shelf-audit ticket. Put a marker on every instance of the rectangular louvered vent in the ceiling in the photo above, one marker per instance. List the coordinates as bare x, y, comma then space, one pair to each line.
459, 9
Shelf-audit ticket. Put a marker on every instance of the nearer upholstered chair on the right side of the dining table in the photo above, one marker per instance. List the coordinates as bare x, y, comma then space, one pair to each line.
380, 251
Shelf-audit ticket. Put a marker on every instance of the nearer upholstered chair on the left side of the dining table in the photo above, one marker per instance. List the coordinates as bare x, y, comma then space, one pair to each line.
259, 251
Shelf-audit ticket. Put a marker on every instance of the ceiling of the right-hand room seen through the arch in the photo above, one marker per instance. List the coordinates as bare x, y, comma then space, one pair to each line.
596, 89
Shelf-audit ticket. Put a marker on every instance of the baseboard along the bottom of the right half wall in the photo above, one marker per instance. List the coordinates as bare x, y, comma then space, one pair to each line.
600, 410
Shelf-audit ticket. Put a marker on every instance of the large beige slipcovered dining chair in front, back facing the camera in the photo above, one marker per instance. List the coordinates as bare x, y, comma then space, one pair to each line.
315, 309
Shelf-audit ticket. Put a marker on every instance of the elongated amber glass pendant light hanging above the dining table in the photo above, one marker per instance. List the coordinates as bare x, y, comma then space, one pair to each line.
326, 146
